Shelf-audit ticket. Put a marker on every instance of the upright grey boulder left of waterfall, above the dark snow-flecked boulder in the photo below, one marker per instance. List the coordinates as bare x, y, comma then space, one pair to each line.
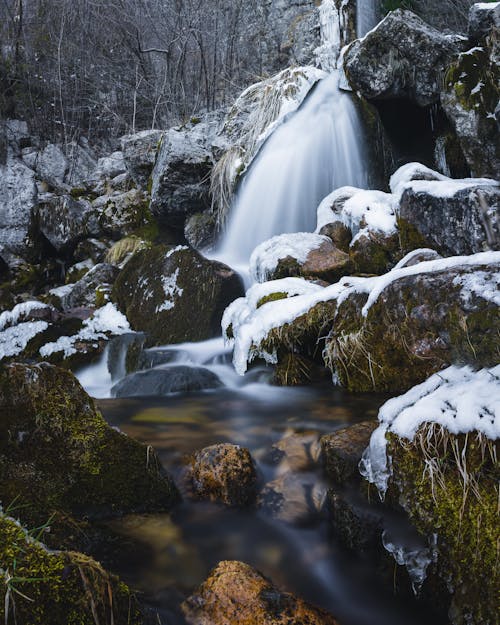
181, 176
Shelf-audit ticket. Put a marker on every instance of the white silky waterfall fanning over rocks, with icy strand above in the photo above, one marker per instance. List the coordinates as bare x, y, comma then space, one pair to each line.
315, 151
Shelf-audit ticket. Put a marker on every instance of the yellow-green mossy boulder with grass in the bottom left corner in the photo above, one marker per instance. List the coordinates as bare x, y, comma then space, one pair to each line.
45, 587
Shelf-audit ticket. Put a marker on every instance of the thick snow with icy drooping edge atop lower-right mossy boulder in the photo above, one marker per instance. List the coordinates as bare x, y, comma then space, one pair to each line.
459, 399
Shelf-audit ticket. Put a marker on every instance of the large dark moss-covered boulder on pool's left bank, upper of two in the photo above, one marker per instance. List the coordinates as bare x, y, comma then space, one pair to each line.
58, 454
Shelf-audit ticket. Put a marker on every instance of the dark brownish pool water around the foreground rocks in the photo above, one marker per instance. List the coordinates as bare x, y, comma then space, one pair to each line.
167, 556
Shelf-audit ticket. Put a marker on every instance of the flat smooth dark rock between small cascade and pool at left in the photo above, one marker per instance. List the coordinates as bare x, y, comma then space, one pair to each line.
166, 380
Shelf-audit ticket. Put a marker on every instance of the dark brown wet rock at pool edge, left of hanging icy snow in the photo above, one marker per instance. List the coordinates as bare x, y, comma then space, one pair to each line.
343, 449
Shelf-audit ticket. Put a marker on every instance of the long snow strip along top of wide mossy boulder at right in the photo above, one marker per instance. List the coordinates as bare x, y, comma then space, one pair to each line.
250, 325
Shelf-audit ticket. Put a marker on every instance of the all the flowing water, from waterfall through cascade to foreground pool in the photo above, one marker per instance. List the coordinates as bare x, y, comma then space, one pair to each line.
165, 556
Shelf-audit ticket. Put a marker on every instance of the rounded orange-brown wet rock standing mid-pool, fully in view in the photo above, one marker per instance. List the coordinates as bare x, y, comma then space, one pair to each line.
224, 474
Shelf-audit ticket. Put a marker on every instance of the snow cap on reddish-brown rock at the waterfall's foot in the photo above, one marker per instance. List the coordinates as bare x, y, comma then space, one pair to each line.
266, 256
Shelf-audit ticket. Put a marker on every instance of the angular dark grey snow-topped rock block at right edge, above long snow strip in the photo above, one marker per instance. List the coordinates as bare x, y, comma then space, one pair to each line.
463, 222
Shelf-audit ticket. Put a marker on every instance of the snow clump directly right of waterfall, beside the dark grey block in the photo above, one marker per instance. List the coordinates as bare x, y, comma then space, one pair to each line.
359, 210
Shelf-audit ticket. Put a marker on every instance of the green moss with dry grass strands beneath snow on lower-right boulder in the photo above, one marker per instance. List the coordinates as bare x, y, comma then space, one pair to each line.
463, 514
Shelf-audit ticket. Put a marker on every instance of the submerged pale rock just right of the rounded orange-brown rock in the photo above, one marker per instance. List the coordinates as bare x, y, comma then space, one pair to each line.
293, 499
